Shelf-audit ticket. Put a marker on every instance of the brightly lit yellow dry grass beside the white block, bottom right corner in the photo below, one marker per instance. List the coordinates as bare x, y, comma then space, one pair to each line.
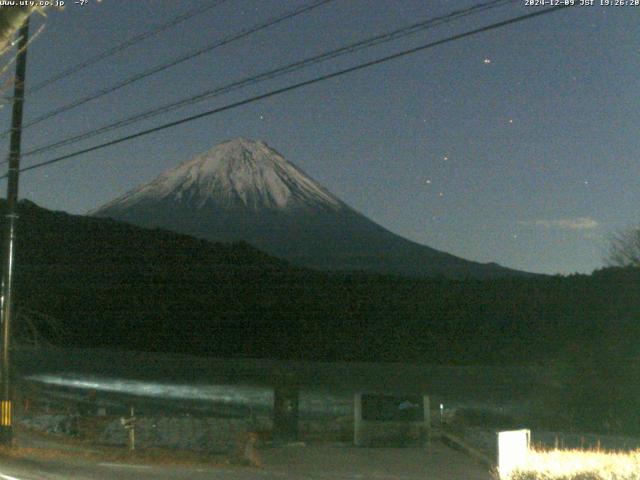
579, 465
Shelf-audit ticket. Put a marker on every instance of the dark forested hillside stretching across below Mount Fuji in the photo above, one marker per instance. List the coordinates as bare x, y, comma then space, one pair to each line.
114, 285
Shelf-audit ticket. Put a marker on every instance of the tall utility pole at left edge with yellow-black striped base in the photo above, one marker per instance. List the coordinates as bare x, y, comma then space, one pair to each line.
6, 424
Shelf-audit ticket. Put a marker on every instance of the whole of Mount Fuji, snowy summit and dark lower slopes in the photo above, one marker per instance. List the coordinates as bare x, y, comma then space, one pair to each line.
243, 190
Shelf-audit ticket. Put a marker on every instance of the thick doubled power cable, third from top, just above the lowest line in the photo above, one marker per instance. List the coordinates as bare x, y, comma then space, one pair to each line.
271, 74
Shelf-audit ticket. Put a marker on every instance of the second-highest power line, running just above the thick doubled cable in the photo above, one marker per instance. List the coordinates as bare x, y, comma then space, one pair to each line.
172, 63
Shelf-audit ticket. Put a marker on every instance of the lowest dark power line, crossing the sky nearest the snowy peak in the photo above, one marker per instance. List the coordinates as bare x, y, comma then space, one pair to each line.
296, 86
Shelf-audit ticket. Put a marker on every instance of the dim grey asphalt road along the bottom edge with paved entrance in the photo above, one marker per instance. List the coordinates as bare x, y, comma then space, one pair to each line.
320, 461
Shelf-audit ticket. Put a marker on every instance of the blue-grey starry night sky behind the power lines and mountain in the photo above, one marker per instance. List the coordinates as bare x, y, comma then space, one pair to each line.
519, 145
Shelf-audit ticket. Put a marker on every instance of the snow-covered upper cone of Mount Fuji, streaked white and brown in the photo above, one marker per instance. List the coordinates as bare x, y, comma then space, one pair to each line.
239, 173
